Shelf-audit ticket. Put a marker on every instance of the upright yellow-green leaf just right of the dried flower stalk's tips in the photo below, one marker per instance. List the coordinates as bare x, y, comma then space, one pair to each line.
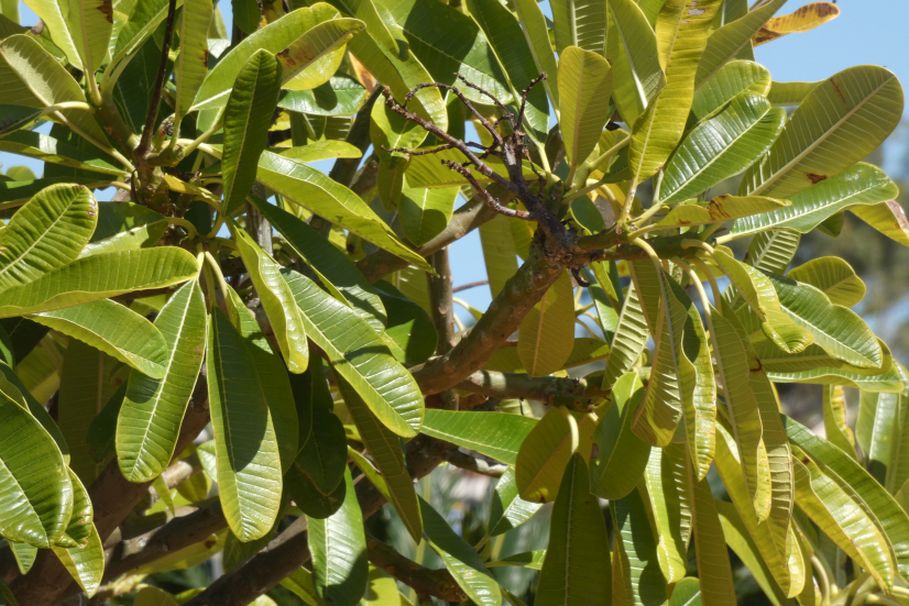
585, 82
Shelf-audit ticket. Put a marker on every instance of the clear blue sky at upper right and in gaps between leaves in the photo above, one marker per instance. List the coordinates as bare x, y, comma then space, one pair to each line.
866, 32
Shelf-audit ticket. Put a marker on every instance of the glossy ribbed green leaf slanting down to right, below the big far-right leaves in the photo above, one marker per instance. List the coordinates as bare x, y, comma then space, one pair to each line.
836, 329
